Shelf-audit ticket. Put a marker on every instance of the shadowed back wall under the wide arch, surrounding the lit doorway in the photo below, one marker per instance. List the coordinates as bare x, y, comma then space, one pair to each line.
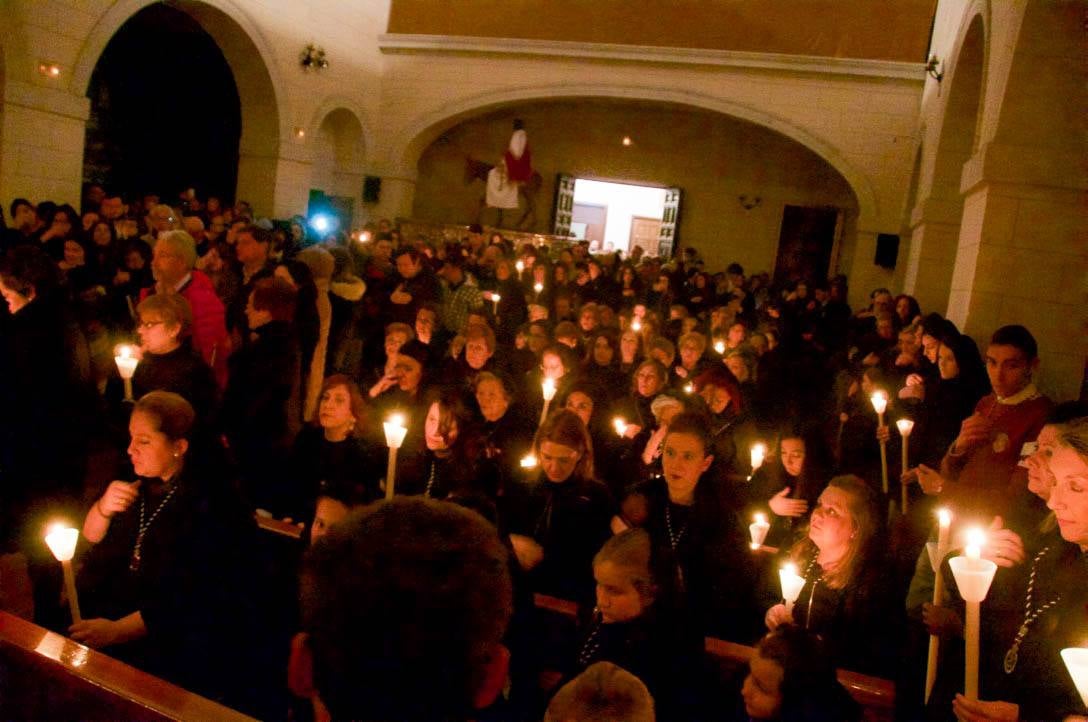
715, 158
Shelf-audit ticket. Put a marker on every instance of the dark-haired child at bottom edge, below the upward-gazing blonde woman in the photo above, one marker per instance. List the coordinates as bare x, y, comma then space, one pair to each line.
793, 679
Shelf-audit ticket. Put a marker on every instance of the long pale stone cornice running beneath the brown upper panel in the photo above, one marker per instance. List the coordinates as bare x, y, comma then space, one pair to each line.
404, 44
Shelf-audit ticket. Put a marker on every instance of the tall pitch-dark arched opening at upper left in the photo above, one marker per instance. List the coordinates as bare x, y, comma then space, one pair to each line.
166, 113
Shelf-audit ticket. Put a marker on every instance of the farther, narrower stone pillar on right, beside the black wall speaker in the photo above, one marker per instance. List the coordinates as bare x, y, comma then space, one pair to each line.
935, 232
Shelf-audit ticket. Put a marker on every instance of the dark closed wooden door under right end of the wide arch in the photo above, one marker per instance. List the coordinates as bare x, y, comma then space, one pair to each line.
807, 244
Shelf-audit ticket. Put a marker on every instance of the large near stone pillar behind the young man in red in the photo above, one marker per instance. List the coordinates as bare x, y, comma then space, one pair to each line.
1023, 258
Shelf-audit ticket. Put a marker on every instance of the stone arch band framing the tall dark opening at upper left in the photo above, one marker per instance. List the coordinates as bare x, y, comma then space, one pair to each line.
252, 63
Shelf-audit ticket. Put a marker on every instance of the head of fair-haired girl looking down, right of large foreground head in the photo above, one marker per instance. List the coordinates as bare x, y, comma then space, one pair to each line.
626, 586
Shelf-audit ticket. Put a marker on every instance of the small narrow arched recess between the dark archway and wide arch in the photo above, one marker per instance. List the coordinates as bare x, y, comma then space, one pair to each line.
339, 158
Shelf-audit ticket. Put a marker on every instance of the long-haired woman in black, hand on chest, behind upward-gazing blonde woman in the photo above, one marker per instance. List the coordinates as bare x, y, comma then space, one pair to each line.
787, 488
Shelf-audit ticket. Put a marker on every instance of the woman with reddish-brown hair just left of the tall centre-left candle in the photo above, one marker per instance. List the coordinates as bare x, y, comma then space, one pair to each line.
336, 450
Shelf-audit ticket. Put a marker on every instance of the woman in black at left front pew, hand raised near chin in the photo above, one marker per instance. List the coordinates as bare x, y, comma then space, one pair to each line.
169, 582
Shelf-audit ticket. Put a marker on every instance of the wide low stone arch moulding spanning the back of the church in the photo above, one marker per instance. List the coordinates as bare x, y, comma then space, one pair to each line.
418, 136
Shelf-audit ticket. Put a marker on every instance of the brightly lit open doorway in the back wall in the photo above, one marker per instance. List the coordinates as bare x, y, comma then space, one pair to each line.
616, 217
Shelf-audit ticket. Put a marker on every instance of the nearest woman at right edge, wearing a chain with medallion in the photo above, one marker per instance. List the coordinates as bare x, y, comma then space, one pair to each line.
1050, 615
